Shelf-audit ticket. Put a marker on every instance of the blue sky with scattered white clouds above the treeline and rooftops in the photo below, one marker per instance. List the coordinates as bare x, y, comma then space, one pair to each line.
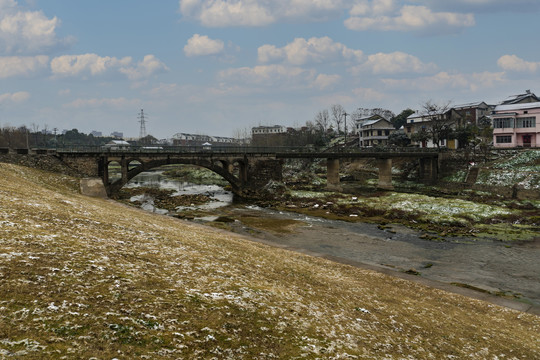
217, 67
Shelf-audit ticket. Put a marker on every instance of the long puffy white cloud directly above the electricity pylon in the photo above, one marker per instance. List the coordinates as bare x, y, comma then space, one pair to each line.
92, 64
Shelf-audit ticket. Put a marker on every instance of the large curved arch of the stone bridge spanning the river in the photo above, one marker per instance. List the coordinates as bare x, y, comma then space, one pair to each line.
220, 167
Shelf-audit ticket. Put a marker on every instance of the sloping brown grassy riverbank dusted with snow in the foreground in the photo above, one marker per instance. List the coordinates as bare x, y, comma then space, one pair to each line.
83, 277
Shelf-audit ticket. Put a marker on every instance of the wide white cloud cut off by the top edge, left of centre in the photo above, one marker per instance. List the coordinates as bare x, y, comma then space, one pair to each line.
221, 13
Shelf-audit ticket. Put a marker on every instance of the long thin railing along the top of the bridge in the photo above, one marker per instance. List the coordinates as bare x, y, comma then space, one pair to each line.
239, 149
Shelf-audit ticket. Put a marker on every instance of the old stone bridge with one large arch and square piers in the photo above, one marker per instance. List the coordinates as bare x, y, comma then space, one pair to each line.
247, 169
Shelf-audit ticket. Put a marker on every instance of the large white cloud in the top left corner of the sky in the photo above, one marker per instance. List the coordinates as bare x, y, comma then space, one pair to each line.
26, 31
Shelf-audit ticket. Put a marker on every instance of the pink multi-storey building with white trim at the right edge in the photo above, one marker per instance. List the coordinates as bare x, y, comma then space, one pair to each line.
517, 125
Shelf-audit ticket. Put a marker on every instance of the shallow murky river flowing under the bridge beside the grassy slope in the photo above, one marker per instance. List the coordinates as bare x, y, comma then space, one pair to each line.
510, 270
